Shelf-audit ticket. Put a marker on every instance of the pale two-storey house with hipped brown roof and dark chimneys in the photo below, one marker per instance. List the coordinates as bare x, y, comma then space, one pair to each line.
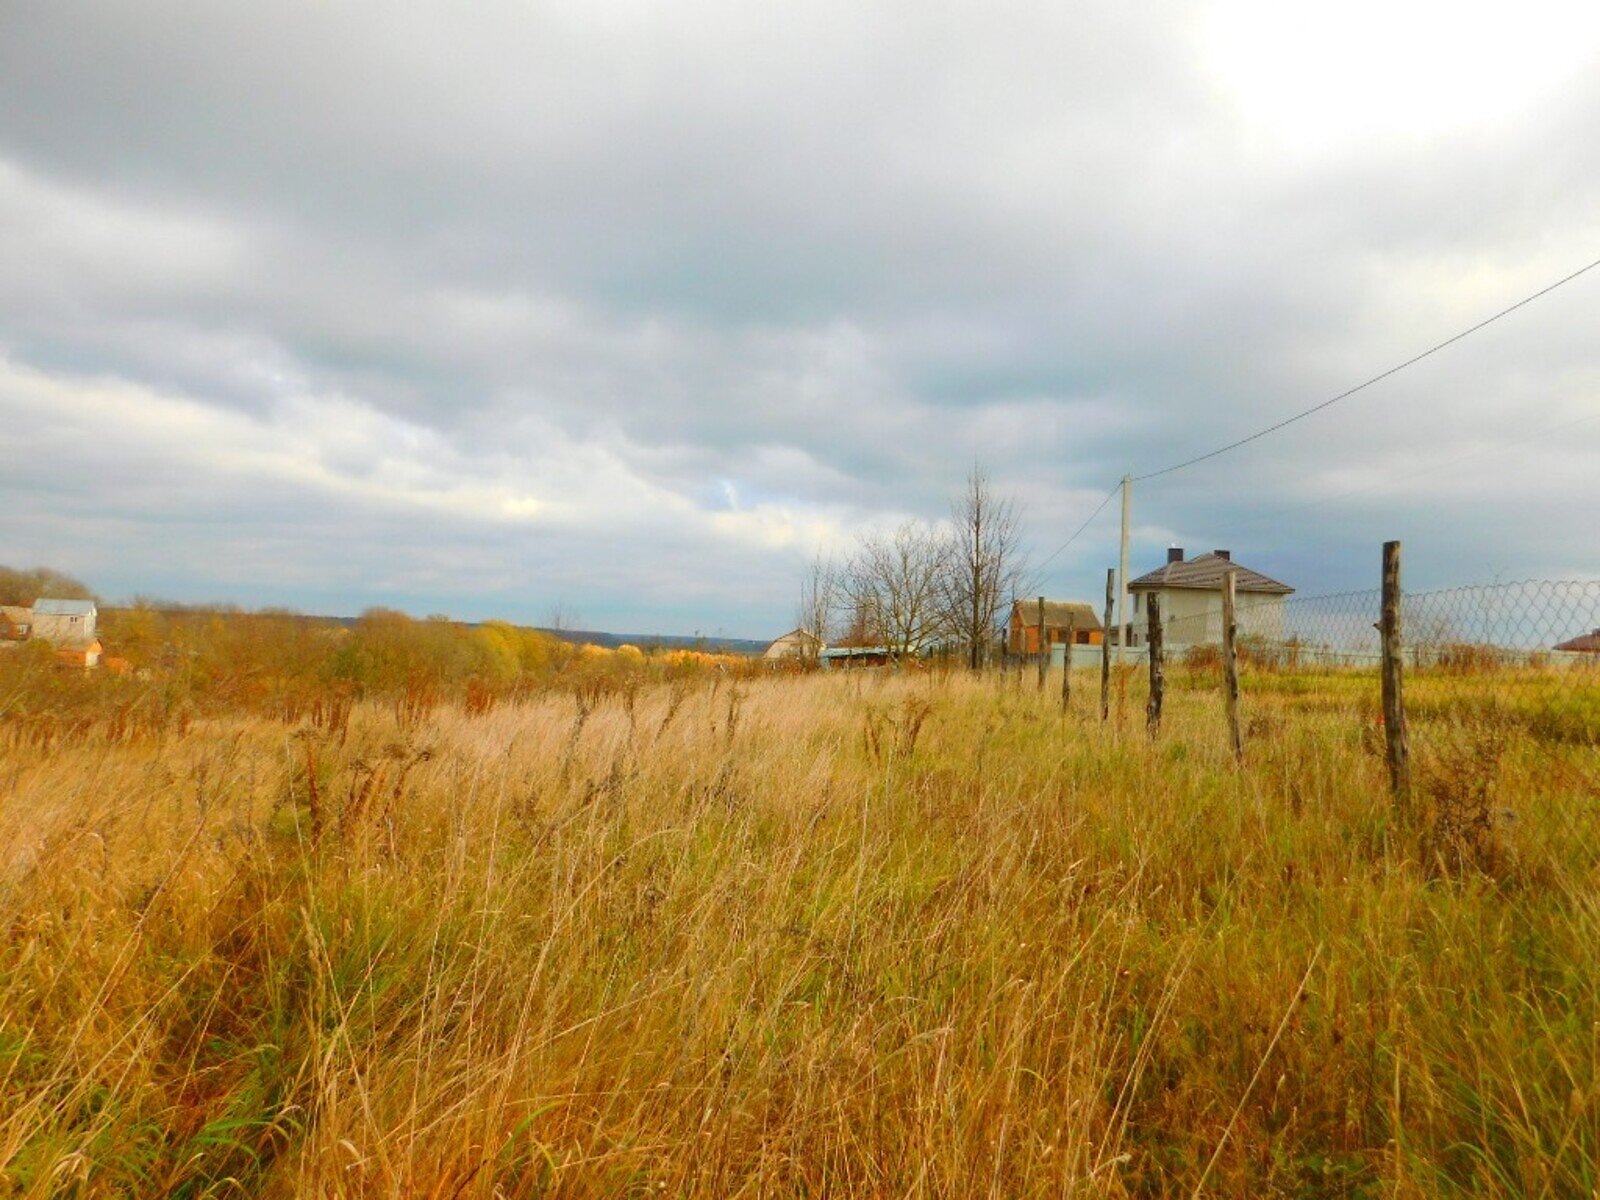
1191, 594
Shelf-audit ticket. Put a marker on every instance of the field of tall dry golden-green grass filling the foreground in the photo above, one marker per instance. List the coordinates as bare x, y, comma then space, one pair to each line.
809, 937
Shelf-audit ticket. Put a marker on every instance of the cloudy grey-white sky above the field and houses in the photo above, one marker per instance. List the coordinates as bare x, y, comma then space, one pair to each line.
630, 308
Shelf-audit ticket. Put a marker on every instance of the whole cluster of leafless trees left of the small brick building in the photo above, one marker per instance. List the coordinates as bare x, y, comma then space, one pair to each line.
926, 586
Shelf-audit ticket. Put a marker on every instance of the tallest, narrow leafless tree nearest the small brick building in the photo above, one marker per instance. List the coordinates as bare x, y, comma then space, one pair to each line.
990, 569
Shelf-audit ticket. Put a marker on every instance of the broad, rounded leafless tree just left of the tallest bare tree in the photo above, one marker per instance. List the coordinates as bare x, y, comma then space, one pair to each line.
895, 586
